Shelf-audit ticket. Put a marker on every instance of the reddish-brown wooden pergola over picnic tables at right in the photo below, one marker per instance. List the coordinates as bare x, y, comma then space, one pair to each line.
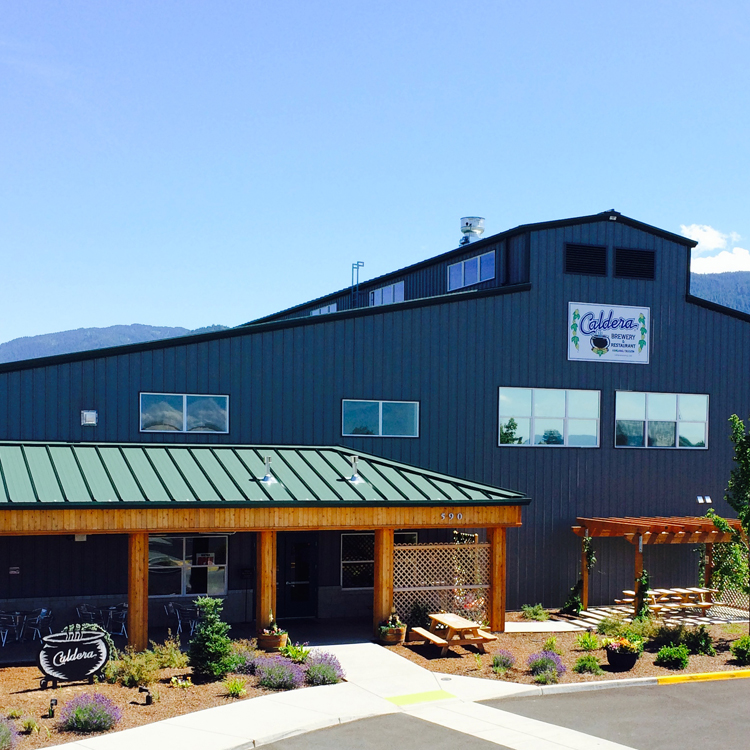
651, 530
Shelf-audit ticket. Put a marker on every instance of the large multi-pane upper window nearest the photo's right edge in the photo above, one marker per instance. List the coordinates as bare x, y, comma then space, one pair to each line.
661, 420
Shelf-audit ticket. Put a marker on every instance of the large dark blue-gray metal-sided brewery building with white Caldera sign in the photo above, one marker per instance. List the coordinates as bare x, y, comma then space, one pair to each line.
464, 364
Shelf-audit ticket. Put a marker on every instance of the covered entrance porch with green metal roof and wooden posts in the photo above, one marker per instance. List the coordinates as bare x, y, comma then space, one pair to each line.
135, 490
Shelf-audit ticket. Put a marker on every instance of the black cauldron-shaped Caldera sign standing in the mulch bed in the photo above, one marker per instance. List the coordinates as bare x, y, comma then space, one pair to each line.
73, 656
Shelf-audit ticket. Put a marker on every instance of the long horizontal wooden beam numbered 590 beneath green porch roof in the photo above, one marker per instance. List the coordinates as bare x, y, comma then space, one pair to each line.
181, 520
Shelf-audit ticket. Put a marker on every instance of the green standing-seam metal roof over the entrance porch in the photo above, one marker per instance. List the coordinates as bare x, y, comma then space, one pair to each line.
126, 474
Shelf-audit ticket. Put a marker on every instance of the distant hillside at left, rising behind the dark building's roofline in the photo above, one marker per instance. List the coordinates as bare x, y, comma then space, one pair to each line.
83, 339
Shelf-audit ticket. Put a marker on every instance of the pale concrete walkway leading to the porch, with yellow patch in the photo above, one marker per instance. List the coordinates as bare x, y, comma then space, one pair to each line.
378, 682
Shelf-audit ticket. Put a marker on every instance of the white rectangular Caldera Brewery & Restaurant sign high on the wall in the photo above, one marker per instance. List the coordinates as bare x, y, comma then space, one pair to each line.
608, 333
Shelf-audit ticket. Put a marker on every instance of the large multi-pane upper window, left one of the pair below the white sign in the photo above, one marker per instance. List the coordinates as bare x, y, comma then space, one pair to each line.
548, 416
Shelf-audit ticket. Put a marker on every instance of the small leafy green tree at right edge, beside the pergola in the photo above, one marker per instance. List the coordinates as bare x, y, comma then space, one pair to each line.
738, 496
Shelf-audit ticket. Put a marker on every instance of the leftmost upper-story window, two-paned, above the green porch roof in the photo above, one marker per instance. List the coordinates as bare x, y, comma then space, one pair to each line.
184, 412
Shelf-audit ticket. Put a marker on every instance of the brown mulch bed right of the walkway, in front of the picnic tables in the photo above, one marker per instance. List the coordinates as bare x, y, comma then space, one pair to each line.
467, 661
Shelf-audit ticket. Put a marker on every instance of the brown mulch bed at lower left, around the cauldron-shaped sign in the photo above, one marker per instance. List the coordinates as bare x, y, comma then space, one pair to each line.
19, 689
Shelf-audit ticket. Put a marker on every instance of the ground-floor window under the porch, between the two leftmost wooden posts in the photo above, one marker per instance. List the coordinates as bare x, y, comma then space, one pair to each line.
187, 565
